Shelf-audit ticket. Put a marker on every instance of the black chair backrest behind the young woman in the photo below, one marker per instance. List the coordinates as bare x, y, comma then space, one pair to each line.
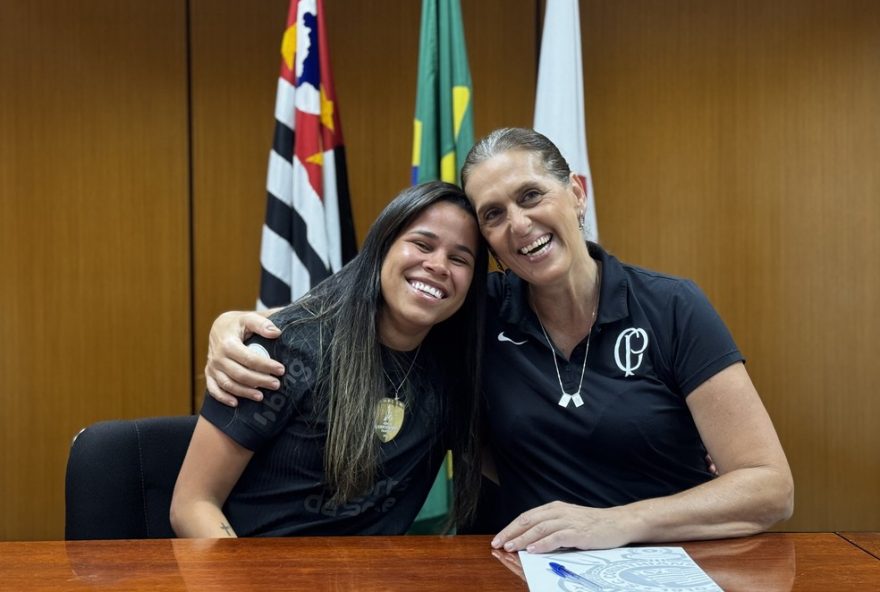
120, 476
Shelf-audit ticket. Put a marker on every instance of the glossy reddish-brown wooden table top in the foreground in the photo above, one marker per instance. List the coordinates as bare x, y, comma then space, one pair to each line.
767, 563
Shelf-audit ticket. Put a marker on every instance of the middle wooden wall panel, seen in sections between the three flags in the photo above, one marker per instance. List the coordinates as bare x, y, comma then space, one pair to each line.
374, 50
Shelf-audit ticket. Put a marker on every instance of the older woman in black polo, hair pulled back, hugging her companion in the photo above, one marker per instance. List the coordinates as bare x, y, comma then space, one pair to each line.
604, 384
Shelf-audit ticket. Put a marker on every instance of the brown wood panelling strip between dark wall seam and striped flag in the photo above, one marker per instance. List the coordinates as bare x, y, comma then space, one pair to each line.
235, 59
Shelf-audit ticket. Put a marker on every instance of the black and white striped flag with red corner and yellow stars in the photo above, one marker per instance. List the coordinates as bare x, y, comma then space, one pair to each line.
309, 232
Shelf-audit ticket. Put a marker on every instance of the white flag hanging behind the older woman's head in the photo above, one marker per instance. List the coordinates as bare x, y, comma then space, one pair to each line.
559, 103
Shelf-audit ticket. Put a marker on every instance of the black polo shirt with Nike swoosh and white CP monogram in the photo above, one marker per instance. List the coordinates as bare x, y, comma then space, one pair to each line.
655, 340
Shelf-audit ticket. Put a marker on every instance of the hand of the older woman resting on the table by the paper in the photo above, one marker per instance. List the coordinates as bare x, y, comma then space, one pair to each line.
558, 524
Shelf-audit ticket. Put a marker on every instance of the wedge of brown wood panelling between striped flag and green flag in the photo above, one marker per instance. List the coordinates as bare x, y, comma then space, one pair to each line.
374, 49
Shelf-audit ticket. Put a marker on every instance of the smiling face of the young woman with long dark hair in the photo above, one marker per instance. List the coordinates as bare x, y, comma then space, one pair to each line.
426, 274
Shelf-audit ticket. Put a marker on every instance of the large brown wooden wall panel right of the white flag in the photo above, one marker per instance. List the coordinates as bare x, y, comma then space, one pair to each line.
737, 143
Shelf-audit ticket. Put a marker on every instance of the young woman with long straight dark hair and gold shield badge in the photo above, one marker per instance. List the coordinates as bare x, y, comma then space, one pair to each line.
382, 374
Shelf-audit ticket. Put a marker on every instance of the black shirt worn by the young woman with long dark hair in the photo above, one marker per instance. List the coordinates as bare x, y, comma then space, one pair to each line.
283, 491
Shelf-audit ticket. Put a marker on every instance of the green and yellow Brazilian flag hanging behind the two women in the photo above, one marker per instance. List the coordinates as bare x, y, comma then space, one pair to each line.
442, 135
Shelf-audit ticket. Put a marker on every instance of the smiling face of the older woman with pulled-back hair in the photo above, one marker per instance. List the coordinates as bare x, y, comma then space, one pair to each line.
529, 218
